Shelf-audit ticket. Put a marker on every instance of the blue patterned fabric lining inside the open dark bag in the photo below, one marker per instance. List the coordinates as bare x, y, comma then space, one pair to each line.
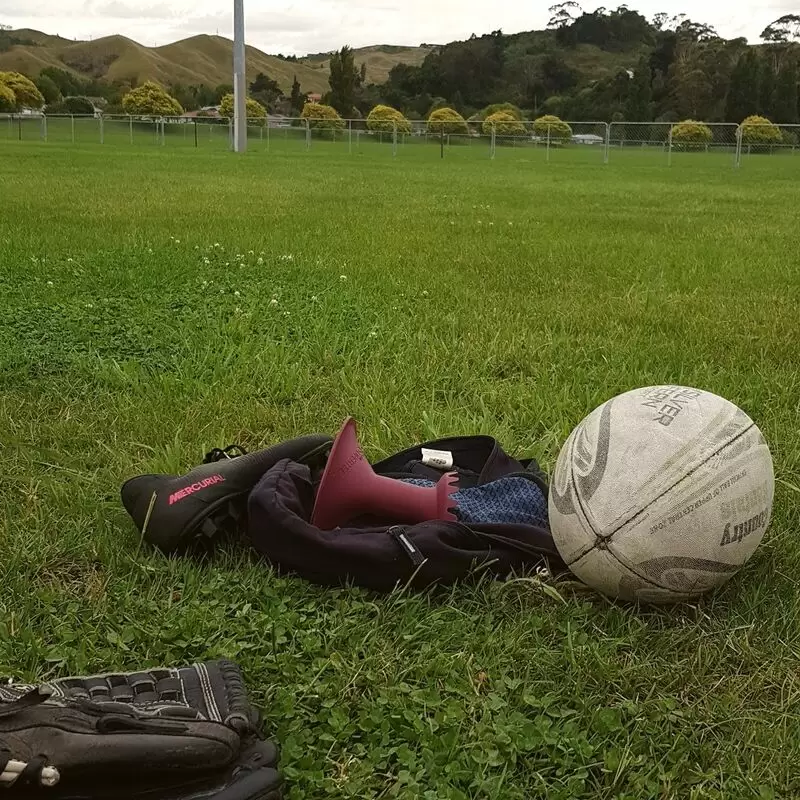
510, 500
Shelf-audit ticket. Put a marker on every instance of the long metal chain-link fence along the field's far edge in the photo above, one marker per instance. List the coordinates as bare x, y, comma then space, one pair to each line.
664, 143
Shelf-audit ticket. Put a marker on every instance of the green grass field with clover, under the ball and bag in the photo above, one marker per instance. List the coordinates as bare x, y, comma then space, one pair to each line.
159, 302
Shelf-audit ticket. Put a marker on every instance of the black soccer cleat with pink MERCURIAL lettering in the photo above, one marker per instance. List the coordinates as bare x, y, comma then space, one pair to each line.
174, 511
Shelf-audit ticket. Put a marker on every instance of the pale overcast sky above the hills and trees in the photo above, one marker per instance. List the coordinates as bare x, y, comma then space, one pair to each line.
309, 26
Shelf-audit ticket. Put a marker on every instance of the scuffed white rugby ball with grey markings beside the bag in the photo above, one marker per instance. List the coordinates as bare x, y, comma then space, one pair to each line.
661, 494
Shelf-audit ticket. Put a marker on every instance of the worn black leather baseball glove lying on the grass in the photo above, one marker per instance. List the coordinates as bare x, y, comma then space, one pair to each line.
165, 734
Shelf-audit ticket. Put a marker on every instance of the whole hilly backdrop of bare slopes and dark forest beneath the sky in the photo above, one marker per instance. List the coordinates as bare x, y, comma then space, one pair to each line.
600, 65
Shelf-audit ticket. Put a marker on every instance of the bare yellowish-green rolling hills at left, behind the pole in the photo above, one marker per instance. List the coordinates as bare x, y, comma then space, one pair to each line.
199, 59
